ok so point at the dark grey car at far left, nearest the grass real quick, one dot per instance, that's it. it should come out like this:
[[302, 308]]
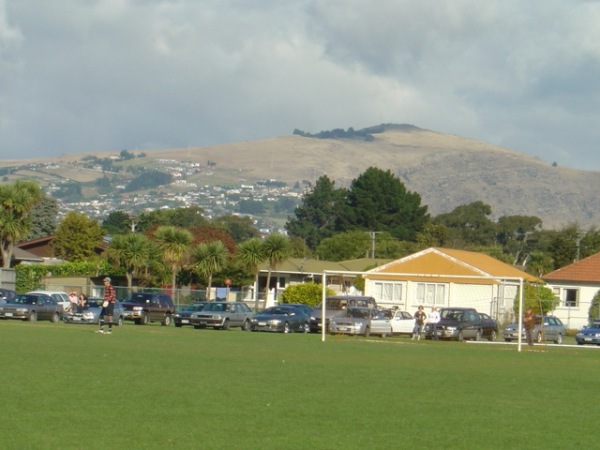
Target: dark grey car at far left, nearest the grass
[[32, 307]]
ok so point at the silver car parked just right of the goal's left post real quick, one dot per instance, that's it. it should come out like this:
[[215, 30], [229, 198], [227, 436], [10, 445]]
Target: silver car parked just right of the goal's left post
[[364, 321]]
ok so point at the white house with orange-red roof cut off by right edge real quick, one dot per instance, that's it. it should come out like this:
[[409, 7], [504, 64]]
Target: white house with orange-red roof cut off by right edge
[[575, 285]]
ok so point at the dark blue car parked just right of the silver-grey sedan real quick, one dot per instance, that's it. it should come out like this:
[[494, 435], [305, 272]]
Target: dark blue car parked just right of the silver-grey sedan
[[282, 318]]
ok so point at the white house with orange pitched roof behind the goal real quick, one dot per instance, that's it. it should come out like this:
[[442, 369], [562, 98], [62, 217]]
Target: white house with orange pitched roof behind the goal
[[446, 277]]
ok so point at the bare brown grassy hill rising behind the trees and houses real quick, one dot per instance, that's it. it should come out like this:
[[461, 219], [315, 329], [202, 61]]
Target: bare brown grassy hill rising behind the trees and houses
[[446, 170]]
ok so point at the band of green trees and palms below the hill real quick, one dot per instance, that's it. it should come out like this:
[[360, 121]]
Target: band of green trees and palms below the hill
[[376, 216]]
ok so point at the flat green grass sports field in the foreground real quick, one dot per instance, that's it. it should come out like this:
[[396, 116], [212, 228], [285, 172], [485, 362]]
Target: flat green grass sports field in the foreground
[[144, 387]]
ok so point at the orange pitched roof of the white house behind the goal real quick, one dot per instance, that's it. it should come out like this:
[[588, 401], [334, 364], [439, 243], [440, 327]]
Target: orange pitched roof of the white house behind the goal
[[440, 262]]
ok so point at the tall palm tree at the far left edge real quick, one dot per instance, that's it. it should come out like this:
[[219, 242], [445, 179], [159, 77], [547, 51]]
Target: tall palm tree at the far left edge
[[16, 202]]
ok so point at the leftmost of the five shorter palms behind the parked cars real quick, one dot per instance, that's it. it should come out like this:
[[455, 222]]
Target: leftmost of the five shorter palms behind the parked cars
[[131, 251]]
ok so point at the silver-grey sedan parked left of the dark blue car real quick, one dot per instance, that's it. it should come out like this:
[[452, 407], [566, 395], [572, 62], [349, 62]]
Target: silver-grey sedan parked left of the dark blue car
[[224, 315]]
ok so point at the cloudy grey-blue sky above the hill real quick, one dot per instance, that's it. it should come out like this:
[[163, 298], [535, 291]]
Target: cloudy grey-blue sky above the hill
[[87, 75]]
